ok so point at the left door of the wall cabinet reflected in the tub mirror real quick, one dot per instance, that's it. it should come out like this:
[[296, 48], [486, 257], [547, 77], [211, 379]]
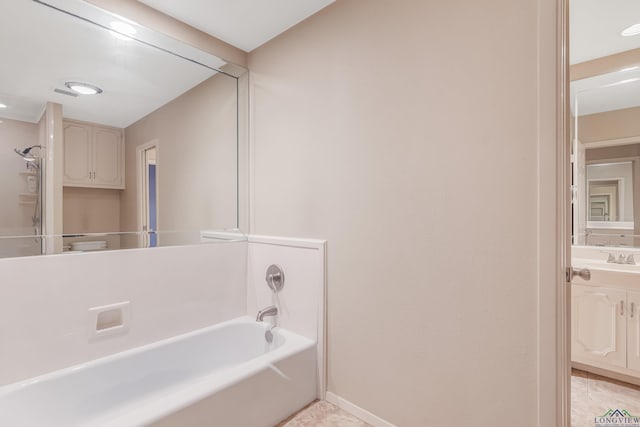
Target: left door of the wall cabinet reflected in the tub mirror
[[77, 154]]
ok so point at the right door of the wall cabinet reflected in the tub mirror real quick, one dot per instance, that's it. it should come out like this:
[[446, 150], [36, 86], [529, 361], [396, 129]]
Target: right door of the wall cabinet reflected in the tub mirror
[[107, 157]]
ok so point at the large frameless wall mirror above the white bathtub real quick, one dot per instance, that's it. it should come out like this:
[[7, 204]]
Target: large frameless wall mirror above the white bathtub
[[112, 136]]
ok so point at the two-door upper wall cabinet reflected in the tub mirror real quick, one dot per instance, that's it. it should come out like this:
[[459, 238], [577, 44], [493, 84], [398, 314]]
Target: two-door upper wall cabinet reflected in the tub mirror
[[93, 156]]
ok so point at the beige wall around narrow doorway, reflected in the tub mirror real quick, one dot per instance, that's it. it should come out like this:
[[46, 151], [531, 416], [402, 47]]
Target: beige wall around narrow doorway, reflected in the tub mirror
[[197, 176]]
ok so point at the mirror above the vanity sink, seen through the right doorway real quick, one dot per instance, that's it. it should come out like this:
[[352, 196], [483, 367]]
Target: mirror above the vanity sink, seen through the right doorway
[[605, 95]]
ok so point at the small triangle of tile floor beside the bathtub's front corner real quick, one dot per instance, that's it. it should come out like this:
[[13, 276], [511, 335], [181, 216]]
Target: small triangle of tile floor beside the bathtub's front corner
[[322, 414]]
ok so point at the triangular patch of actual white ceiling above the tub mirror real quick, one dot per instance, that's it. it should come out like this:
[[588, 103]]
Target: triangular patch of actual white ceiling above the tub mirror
[[245, 24]]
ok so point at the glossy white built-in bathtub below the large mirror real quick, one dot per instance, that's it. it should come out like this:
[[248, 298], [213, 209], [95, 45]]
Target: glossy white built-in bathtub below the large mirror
[[225, 375]]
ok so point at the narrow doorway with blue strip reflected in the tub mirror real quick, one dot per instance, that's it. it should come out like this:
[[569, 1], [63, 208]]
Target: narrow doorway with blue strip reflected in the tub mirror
[[148, 194]]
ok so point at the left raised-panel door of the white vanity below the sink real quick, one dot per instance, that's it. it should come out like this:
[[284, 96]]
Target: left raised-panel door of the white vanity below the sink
[[599, 326]]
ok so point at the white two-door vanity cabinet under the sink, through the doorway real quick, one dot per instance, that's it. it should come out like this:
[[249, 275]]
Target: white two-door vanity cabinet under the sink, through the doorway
[[605, 328]]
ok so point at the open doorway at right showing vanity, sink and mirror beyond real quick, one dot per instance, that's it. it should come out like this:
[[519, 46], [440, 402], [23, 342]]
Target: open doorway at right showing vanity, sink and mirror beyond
[[601, 319]]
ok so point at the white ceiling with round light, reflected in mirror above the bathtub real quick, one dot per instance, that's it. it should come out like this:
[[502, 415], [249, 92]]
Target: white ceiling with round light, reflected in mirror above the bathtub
[[136, 79]]
